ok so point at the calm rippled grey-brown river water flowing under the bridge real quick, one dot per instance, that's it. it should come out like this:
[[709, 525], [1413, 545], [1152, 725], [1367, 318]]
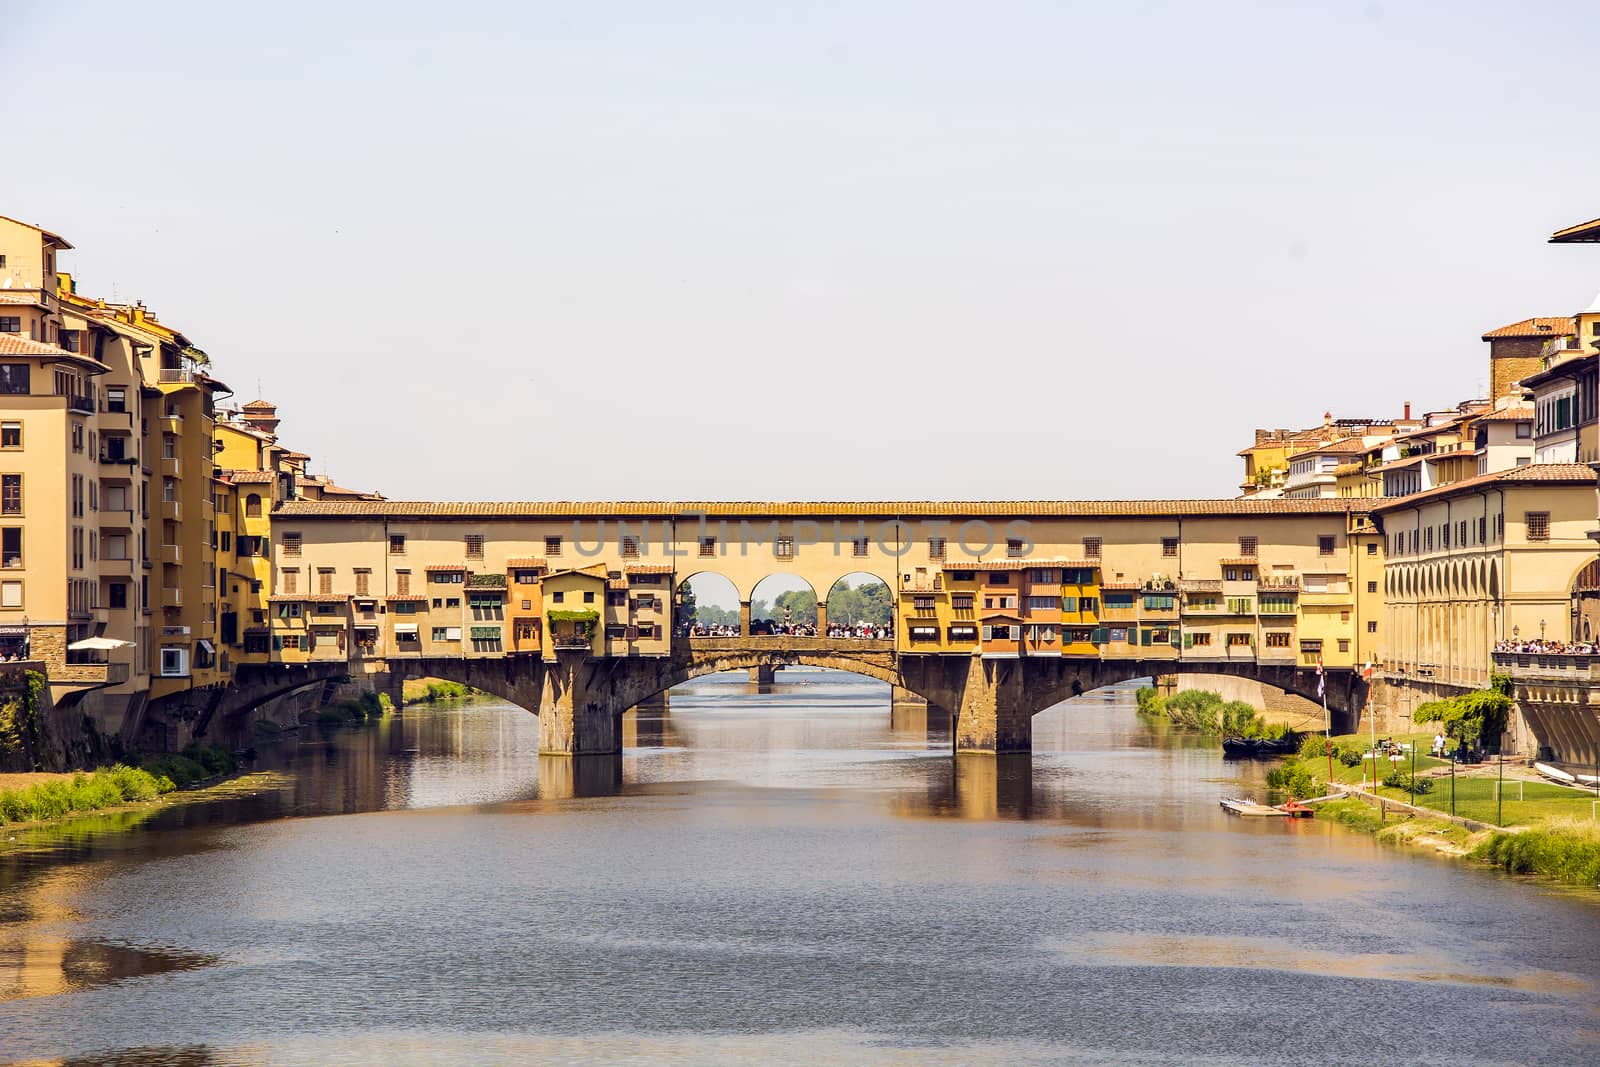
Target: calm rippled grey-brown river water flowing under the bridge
[[798, 877]]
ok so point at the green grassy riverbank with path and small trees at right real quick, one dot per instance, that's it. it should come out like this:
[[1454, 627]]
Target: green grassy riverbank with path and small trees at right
[[1500, 817]]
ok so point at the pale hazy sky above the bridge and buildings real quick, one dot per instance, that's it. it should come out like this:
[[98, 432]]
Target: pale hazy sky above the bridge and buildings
[[820, 250]]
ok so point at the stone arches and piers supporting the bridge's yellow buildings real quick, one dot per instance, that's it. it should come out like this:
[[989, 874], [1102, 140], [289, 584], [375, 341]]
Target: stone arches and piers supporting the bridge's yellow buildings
[[580, 700]]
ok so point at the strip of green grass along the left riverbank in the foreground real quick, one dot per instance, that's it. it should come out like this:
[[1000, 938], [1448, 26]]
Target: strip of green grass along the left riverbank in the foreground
[[116, 786]]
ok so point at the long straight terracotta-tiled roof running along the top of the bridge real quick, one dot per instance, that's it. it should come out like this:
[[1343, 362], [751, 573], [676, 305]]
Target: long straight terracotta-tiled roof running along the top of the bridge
[[690, 511]]
